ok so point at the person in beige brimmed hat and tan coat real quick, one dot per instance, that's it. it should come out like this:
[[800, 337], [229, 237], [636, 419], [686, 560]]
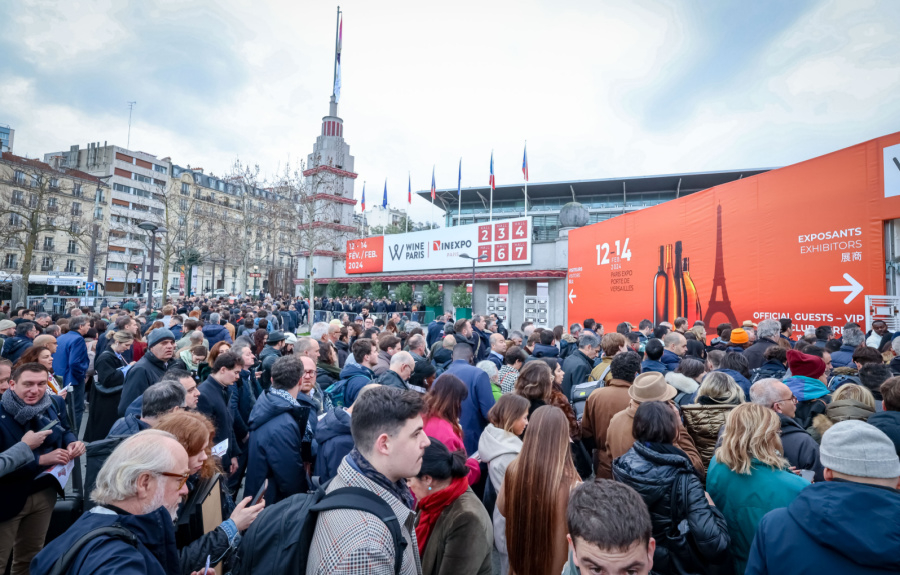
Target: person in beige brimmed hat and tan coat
[[649, 386]]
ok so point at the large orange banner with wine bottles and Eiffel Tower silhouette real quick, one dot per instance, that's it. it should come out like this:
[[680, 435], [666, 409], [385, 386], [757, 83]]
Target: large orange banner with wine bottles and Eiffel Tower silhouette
[[805, 242]]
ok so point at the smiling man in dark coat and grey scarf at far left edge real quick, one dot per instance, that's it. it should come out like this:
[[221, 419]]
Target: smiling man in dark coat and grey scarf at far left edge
[[26, 505]]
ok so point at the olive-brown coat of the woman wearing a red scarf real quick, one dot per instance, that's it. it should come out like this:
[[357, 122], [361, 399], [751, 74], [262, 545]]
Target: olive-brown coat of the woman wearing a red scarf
[[461, 539]]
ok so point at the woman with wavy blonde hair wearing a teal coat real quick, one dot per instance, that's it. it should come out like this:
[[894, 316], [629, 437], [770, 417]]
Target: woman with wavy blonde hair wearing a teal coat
[[749, 476]]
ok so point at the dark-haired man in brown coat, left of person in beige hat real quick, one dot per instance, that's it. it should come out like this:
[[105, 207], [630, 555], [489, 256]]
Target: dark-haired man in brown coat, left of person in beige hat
[[604, 403]]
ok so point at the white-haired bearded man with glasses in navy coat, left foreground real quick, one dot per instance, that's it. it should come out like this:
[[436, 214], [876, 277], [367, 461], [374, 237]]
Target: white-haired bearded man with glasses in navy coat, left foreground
[[132, 528]]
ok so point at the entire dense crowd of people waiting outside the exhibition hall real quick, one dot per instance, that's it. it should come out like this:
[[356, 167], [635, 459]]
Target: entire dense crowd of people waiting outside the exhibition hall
[[651, 448]]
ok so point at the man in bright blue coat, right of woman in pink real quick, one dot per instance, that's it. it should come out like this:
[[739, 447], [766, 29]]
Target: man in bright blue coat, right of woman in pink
[[473, 416]]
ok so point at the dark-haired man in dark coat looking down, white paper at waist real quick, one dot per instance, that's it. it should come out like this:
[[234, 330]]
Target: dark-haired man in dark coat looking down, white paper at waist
[[215, 397]]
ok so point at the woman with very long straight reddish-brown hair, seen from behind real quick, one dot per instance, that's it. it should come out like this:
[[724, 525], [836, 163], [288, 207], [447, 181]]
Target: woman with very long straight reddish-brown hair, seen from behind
[[535, 494]]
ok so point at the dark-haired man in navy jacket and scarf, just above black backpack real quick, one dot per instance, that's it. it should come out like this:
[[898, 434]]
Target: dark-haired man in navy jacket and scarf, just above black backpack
[[280, 433]]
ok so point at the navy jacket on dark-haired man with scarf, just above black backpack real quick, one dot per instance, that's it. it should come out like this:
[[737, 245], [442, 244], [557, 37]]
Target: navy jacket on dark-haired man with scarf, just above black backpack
[[276, 448]]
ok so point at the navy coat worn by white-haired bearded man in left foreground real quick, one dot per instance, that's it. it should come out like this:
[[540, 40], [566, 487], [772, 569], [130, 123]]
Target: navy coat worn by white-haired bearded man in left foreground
[[153, 554]]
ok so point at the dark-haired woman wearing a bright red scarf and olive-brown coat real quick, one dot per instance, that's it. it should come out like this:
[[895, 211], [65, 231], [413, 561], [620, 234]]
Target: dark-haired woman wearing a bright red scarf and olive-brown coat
[[454, 531]]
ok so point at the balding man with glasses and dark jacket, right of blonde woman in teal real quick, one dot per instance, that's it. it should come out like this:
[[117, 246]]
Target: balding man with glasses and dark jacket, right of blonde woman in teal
[[800, 449]]
